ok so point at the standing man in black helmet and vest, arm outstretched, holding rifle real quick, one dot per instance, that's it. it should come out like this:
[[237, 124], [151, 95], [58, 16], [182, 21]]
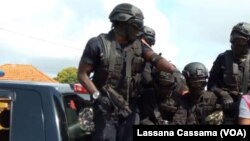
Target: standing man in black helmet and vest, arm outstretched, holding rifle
[[115, 59]]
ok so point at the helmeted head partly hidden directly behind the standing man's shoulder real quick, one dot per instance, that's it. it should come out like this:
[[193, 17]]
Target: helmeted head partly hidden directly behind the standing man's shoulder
[[149, 35]]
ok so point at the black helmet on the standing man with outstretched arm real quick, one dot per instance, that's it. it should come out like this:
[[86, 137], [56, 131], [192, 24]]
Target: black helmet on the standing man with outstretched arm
[[126, 12]]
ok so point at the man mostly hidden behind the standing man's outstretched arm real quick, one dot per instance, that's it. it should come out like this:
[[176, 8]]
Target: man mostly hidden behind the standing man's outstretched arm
[[147, 101]]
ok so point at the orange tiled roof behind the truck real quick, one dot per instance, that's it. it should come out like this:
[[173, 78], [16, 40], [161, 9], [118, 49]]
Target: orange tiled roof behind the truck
[[24, 72]]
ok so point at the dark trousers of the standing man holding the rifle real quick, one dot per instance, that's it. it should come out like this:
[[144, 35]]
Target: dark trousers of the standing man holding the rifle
[[109, 127]]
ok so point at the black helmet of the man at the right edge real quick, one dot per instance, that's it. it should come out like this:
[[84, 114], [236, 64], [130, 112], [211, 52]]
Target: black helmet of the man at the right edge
[[241, 30]]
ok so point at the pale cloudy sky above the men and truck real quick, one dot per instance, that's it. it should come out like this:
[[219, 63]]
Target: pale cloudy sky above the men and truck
[[52, 34]]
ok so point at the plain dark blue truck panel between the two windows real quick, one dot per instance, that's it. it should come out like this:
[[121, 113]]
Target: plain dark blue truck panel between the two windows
[[27, 116]]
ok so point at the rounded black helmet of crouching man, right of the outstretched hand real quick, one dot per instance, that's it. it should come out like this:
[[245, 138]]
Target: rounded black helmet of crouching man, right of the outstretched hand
[[194, 71]]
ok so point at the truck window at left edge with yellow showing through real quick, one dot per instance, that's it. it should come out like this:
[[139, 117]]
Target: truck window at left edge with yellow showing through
[[5, 107]]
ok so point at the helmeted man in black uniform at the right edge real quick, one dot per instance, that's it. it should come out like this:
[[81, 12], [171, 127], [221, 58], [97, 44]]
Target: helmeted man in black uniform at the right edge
[[229, 76]]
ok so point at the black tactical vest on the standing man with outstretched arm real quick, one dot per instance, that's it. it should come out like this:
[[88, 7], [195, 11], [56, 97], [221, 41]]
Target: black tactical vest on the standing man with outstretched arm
[[119, 67]]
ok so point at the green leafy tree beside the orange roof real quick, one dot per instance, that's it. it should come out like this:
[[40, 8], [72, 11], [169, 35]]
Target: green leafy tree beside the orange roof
[[67, 75]]
